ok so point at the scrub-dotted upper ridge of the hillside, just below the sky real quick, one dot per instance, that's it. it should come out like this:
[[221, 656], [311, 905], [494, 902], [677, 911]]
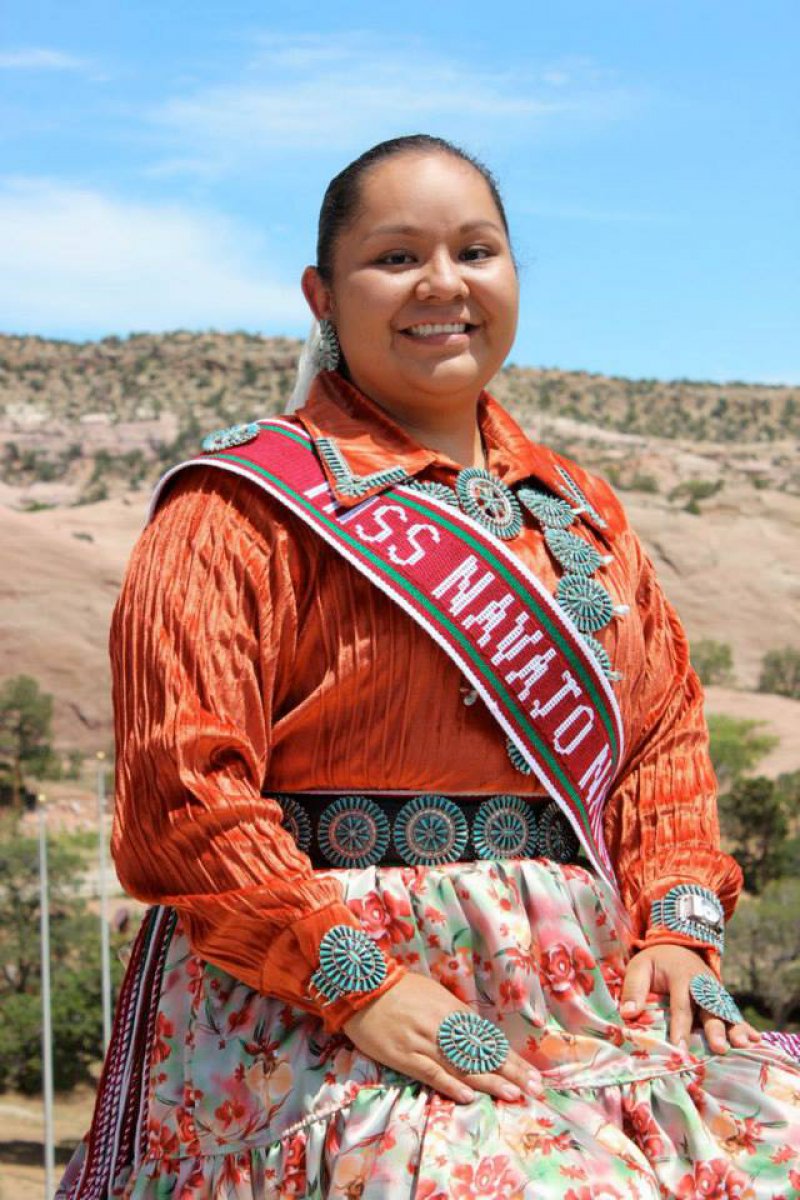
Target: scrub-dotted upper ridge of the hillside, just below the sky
[[81, 423]]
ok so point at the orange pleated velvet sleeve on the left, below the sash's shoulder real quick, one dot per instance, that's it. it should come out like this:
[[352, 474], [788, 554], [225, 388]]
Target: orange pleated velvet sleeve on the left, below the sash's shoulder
[[202, 646]]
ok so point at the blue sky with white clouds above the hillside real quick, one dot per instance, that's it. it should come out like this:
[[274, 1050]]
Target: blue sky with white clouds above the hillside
[[163, 165]]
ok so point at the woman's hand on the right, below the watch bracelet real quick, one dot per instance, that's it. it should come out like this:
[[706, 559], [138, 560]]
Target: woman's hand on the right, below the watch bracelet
[[669, 971]]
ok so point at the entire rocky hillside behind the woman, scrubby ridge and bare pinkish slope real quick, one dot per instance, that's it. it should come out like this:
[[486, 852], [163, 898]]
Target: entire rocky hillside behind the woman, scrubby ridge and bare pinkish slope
[[709, 475]]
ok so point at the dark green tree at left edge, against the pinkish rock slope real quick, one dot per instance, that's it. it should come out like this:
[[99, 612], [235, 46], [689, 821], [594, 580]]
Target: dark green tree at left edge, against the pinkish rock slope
[[26, 722]]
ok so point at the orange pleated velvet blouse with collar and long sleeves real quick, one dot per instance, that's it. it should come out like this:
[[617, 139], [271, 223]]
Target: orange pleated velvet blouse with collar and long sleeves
[[250, 659]]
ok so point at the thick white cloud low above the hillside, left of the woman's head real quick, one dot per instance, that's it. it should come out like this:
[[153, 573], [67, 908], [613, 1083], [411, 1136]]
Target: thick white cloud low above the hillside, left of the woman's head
[[76, 262]]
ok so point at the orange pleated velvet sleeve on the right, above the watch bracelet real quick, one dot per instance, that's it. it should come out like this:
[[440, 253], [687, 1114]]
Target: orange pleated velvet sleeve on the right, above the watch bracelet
[[661, 819]]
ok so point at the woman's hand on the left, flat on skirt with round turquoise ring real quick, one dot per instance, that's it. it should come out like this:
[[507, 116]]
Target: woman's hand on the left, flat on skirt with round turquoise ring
[[400, 1030]]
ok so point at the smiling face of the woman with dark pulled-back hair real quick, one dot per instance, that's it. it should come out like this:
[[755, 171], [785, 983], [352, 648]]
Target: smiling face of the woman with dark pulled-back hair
[[424, 292]]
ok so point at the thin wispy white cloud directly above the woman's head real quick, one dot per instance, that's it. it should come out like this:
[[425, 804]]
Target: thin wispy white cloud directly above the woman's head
[[315, 93]]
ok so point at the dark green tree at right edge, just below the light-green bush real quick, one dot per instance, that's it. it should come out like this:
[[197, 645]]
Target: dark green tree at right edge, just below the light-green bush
[[755, 819]]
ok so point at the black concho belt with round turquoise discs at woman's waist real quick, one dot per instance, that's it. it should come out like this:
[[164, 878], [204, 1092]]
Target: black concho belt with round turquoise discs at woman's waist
[[425, 831]]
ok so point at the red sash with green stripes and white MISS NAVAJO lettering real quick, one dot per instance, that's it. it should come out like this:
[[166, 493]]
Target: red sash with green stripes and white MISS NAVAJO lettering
[[480, 604]]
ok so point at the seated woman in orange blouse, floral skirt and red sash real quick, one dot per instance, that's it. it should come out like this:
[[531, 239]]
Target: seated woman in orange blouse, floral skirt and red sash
[[356, 836]]
